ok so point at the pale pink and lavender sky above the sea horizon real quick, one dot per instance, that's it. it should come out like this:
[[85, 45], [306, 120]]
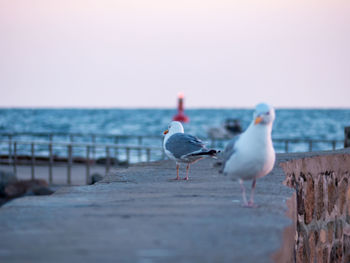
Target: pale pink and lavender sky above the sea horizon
[[138, 53]]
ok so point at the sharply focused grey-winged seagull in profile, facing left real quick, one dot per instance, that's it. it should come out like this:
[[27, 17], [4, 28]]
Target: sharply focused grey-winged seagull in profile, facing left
[[183, 147]]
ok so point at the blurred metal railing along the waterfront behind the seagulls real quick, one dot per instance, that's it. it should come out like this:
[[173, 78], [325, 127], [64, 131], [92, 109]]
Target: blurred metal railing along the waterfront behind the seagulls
[[20, 148]]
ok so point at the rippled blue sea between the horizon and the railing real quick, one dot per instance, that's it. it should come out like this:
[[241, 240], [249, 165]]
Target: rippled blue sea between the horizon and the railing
[[289, 124]]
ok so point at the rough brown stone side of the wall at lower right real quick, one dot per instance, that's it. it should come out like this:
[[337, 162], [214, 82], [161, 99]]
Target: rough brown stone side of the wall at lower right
[[322, 224]]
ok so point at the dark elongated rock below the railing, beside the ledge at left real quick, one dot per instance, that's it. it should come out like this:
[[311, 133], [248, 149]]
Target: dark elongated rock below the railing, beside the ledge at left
[[23, 187]]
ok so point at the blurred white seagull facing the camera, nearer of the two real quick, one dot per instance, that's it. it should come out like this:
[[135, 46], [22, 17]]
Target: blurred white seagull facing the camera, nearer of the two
[[251, 155]]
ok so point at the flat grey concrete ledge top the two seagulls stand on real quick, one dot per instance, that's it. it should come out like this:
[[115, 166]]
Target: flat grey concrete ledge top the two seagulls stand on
[[138, 215]]
